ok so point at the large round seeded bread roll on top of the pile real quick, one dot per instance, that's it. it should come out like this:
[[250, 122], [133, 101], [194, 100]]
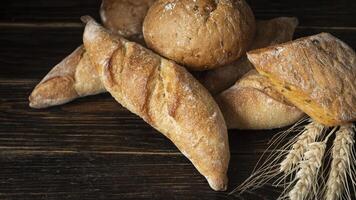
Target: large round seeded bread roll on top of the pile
[[200, 34]]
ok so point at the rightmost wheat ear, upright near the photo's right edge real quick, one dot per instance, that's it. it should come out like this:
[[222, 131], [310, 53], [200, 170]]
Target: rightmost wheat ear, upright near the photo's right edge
[[342, 164]]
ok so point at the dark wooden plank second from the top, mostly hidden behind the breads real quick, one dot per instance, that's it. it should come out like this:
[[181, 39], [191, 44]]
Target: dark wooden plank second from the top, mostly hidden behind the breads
[[27, 52]]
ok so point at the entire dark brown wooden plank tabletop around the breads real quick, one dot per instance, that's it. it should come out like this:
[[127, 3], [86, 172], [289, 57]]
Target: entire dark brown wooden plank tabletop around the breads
[[93, 148]]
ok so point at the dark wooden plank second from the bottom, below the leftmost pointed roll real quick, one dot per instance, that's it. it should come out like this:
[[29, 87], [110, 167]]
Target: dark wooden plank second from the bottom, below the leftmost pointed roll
[[92, 124]]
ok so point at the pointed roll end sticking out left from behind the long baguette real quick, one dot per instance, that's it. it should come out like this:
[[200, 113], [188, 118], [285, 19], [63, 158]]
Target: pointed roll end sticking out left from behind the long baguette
[[72, 78]]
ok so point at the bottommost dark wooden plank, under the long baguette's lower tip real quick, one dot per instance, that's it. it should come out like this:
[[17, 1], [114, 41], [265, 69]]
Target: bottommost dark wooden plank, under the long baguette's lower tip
[[112, 176]]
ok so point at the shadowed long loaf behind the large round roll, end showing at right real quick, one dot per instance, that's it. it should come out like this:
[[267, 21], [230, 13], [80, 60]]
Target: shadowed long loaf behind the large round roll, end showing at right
[[268, 32]]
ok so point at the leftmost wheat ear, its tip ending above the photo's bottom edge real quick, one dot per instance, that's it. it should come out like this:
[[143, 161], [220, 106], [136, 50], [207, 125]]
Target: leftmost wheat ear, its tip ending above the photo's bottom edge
[[309, 135]]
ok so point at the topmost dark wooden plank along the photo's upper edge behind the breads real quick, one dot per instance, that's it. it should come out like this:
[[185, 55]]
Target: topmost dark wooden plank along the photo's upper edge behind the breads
[[311, 13]]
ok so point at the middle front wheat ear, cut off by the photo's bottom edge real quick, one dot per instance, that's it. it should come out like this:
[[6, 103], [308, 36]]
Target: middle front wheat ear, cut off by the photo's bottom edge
[[306, 177]]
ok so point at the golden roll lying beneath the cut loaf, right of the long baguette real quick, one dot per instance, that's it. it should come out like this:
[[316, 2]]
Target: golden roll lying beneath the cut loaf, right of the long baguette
[[252, 103]]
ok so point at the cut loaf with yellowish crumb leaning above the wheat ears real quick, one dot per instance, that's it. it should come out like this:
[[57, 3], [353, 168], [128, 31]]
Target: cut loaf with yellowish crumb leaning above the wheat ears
[[316, 73]]
